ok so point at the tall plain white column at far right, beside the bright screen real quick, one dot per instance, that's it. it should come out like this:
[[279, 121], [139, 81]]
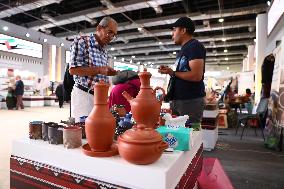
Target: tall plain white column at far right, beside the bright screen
[[261, 43]]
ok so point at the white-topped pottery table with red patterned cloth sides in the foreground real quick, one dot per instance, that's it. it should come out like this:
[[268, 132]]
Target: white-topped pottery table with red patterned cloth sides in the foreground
[[36, 163]]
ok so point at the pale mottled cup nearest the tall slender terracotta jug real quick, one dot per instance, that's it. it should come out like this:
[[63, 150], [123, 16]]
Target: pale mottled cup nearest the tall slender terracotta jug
[[72, 137]]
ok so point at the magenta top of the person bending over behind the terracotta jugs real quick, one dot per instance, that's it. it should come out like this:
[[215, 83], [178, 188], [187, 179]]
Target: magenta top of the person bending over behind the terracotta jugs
[[131, 86]]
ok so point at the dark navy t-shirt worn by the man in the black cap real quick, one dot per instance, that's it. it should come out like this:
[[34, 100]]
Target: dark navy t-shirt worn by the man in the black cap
[[193, 49]]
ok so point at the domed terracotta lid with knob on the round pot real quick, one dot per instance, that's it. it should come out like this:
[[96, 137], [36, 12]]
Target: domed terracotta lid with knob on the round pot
[[141, 134]]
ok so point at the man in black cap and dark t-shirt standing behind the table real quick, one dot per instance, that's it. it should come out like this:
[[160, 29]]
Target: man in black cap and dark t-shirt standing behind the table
[[189, 89]]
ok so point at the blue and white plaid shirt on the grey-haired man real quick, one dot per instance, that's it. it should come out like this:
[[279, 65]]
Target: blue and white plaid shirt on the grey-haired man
[[85, 51]]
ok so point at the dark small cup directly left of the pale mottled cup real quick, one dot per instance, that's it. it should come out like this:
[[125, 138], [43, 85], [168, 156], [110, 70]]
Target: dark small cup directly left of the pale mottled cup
[[55, 134]]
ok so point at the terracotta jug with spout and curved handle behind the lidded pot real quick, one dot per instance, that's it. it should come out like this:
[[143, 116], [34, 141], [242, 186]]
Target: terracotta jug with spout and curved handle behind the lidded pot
[[145, 107]]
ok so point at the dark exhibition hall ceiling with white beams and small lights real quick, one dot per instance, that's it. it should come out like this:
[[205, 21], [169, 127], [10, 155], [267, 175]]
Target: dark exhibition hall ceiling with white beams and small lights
[[144, 35]]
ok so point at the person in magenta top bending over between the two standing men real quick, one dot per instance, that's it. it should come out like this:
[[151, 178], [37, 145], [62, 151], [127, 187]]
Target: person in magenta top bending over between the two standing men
[[129, 82]]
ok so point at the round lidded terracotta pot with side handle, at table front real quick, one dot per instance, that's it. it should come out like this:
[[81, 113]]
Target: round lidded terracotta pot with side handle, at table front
[[141, 145]]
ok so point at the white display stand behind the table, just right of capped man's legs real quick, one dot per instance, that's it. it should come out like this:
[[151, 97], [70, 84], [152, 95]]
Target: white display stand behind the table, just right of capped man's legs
[[210, 136]]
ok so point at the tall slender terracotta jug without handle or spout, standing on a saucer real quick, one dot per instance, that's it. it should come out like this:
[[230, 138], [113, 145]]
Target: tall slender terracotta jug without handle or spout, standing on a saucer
[[100, 124]]
